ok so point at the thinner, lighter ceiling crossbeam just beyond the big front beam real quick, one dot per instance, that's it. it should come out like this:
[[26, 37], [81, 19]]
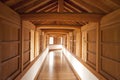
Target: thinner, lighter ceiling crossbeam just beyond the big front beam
[[70, 27]]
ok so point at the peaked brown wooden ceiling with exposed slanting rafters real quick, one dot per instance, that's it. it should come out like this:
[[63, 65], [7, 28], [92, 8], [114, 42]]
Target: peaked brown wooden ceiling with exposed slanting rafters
[[87, 7]]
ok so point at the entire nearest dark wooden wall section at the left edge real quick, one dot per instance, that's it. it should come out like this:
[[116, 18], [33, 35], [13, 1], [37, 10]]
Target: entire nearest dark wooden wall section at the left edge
[[9, 43]]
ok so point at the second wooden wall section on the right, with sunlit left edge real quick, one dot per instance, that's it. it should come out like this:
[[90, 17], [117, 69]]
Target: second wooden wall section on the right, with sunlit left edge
[[89, 43]]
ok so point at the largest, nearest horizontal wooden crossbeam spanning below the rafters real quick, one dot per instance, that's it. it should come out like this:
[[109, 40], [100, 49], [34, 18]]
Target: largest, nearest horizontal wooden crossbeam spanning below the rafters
[[62, 17]]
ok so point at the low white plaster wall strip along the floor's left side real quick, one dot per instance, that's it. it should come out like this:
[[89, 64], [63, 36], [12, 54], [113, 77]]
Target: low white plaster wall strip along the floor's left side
[[31, 73]]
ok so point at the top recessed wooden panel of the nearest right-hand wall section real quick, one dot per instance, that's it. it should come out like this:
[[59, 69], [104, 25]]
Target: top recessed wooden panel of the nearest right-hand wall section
[[111, 34]]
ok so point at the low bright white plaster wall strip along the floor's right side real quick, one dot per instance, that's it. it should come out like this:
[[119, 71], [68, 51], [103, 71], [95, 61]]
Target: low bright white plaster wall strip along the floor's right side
[[82, 71]]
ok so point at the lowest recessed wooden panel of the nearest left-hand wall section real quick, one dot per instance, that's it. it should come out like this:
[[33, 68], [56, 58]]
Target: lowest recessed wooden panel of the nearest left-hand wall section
[[9, 68]]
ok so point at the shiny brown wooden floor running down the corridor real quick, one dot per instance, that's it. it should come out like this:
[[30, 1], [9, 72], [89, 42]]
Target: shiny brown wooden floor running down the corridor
[[56, 67]]
